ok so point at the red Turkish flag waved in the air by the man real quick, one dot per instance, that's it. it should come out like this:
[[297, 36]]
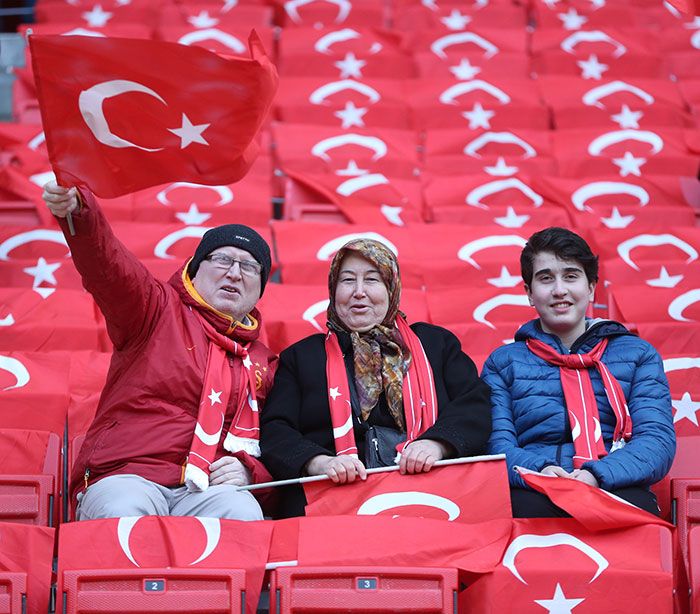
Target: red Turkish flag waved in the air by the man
[[117, 129]]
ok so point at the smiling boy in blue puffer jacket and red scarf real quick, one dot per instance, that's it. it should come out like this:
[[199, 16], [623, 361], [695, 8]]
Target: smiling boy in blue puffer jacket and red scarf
[[575, 397]]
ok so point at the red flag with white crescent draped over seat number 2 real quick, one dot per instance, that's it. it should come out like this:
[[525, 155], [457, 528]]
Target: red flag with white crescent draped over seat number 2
[[168, 541]]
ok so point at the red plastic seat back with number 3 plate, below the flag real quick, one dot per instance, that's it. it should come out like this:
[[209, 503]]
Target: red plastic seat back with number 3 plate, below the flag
[[301, 590]]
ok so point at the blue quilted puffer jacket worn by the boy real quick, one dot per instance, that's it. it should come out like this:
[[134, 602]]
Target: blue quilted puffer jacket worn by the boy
[[530, 422]]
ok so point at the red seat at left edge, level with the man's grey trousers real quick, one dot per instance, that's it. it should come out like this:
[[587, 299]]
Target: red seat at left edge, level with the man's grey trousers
[[30, 497]]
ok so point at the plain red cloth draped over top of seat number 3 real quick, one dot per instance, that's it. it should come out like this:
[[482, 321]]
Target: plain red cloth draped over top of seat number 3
[[418, 542]]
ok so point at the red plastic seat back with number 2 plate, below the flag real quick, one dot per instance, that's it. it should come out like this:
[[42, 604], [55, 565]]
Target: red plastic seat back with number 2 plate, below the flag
[[196, 591]]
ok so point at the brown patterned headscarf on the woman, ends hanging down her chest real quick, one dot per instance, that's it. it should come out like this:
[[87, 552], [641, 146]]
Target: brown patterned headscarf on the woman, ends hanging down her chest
[[380, 355]]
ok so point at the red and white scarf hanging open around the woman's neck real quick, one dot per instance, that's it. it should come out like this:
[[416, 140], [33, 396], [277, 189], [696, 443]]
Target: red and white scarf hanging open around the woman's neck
[[419, 400]]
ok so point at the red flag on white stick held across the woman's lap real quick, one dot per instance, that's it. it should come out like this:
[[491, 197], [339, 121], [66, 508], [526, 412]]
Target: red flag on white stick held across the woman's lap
[[426, 495]]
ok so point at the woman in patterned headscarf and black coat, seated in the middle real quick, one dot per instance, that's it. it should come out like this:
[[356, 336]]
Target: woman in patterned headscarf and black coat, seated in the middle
[[336, 395]]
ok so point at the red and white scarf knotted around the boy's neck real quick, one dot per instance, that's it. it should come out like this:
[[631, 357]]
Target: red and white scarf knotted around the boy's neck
[[580, 399]]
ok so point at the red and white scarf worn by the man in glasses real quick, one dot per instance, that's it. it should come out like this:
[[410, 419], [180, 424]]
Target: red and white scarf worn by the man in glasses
[[244, 432]]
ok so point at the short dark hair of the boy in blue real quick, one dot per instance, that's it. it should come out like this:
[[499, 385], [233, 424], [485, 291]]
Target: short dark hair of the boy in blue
[[565, 245]]
